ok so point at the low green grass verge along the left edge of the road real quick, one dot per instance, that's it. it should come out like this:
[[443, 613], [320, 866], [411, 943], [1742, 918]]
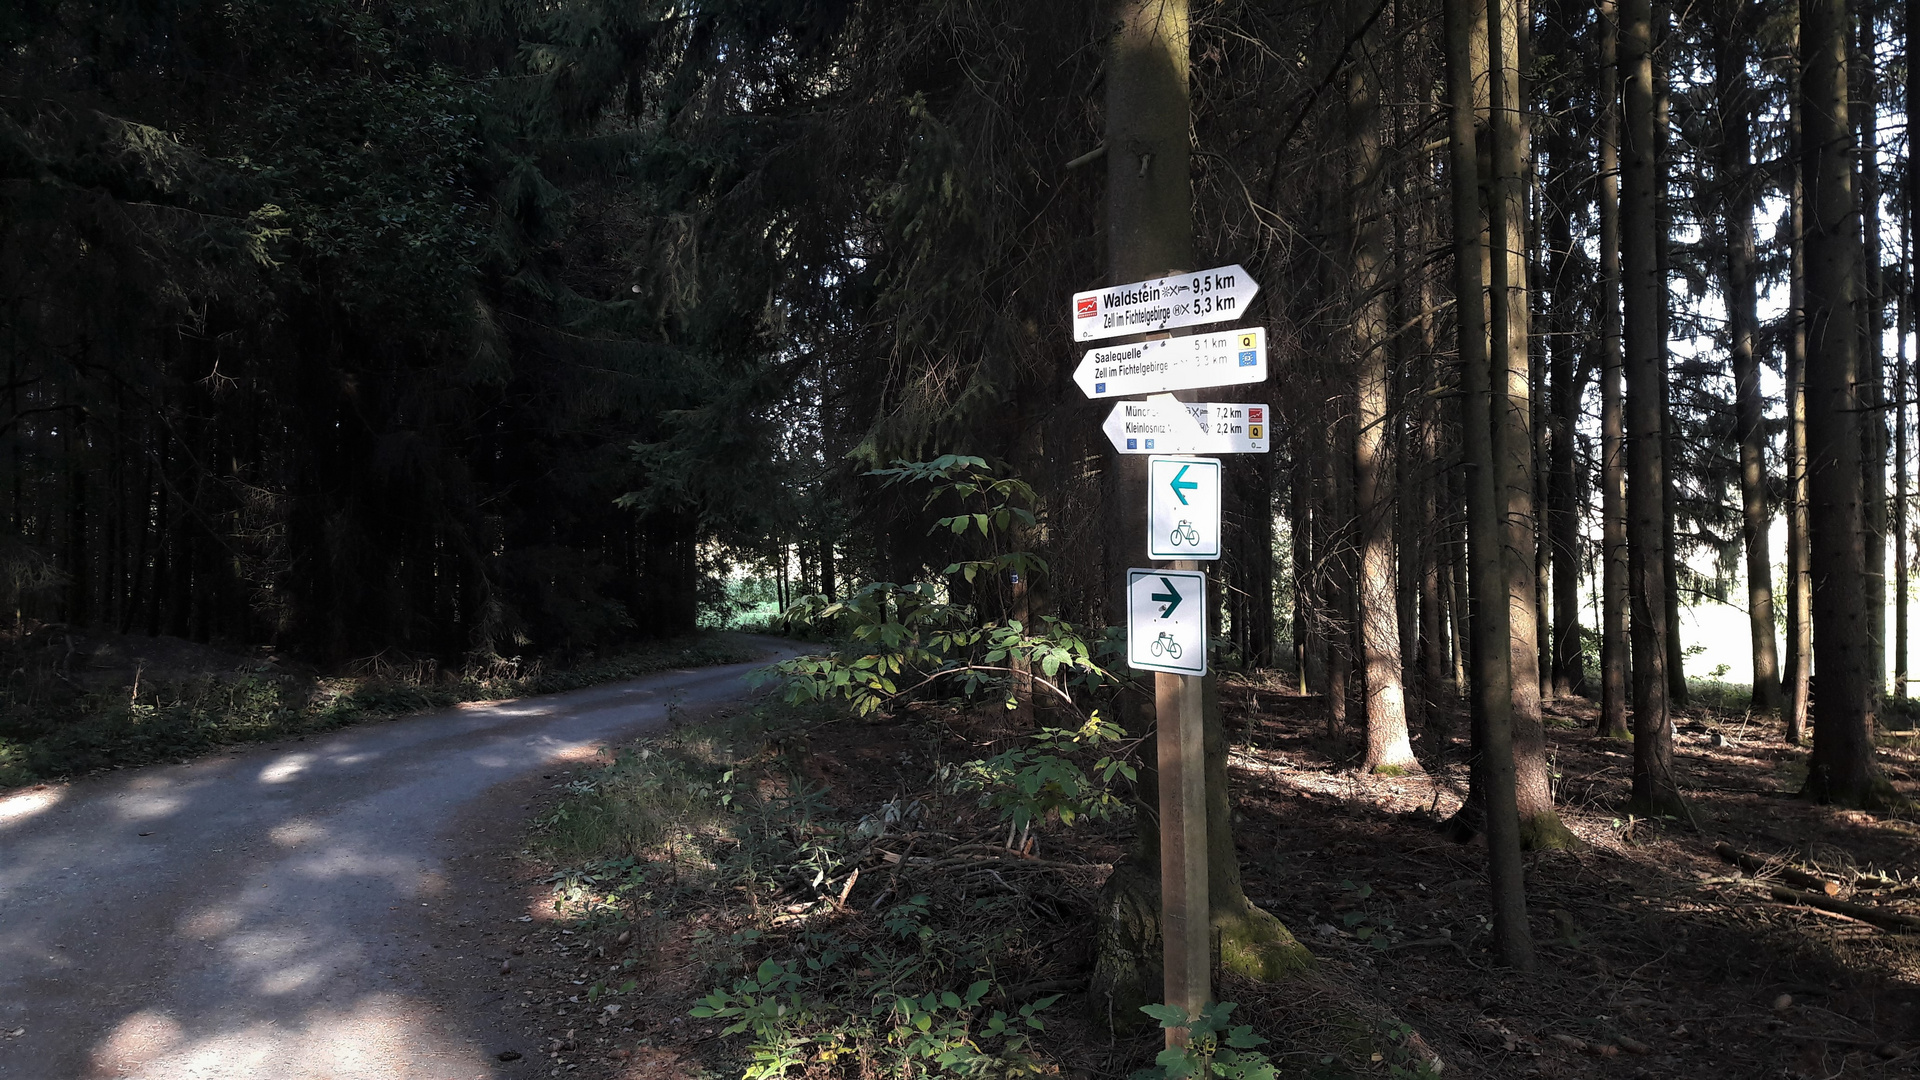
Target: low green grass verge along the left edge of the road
[[76, 729]]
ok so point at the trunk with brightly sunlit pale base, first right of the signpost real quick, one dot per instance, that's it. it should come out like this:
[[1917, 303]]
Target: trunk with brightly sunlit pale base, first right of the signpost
[[1378, 614]]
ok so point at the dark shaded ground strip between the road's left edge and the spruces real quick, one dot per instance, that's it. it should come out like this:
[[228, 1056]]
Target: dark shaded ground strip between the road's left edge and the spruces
[[84, 702]]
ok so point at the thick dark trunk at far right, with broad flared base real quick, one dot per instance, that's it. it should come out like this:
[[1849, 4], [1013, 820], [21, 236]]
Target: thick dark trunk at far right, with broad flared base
[[1842, 766]]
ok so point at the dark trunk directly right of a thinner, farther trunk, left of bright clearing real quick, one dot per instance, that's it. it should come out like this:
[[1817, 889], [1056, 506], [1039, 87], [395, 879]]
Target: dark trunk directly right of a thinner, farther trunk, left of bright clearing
[[1656, 791]]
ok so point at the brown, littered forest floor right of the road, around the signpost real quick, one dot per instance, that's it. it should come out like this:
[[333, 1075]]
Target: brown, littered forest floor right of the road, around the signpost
[[650, 887]]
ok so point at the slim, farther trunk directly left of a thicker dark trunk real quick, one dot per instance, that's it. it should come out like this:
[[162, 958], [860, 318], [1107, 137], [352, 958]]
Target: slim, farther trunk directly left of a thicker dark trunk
[[1614, 645]]
